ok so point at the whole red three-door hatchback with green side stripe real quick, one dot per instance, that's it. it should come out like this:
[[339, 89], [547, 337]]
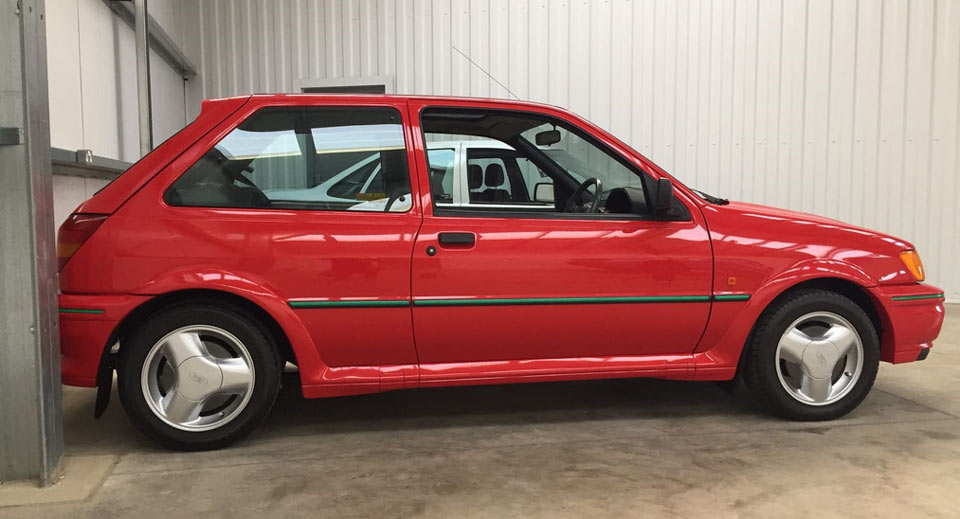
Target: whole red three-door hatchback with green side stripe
[[392, 242]]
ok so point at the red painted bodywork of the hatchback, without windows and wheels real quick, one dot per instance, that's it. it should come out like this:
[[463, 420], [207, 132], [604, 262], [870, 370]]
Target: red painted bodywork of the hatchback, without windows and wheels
[[269, 257]]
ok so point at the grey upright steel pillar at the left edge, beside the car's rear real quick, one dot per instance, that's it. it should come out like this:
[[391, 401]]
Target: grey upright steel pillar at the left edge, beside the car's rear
[[31, 437]]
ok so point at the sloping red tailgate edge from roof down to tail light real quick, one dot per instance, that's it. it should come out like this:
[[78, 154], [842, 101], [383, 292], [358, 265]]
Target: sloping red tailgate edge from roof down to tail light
[[114, 194]]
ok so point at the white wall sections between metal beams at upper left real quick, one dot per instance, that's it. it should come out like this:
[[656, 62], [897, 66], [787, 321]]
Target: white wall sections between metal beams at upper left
[[92, 85]]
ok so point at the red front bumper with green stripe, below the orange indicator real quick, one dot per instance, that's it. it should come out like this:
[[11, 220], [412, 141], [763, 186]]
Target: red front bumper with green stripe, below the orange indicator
[[911, 317]]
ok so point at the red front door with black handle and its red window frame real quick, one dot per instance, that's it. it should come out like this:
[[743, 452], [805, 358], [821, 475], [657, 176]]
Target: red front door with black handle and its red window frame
[[552, 286]]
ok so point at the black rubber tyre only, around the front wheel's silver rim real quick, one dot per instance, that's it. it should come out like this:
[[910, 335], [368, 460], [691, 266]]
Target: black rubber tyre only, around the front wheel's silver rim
[[760, 370]]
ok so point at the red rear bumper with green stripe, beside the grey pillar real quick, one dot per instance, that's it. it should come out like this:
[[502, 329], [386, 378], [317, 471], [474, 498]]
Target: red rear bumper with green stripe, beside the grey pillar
[[87, 324]]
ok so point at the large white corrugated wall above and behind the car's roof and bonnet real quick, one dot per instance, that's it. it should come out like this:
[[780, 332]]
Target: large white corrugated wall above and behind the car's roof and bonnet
[[844, 108]]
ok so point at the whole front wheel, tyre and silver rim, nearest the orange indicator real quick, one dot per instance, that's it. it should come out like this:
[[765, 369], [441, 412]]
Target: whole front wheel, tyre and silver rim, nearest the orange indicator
[[797, 389]]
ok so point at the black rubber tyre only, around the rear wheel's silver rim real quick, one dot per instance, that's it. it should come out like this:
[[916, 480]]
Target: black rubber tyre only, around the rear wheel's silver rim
[[250, 331]]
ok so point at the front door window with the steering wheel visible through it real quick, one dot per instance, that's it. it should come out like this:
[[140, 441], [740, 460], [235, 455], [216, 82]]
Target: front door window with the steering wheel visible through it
[[524, 162]]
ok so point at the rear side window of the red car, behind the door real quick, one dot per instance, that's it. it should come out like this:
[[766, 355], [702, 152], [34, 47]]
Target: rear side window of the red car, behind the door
[[304, 158]]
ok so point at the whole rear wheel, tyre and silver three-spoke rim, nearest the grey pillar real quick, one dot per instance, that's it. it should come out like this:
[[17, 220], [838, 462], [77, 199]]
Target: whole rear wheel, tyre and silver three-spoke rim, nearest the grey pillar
[[218, 347]]
